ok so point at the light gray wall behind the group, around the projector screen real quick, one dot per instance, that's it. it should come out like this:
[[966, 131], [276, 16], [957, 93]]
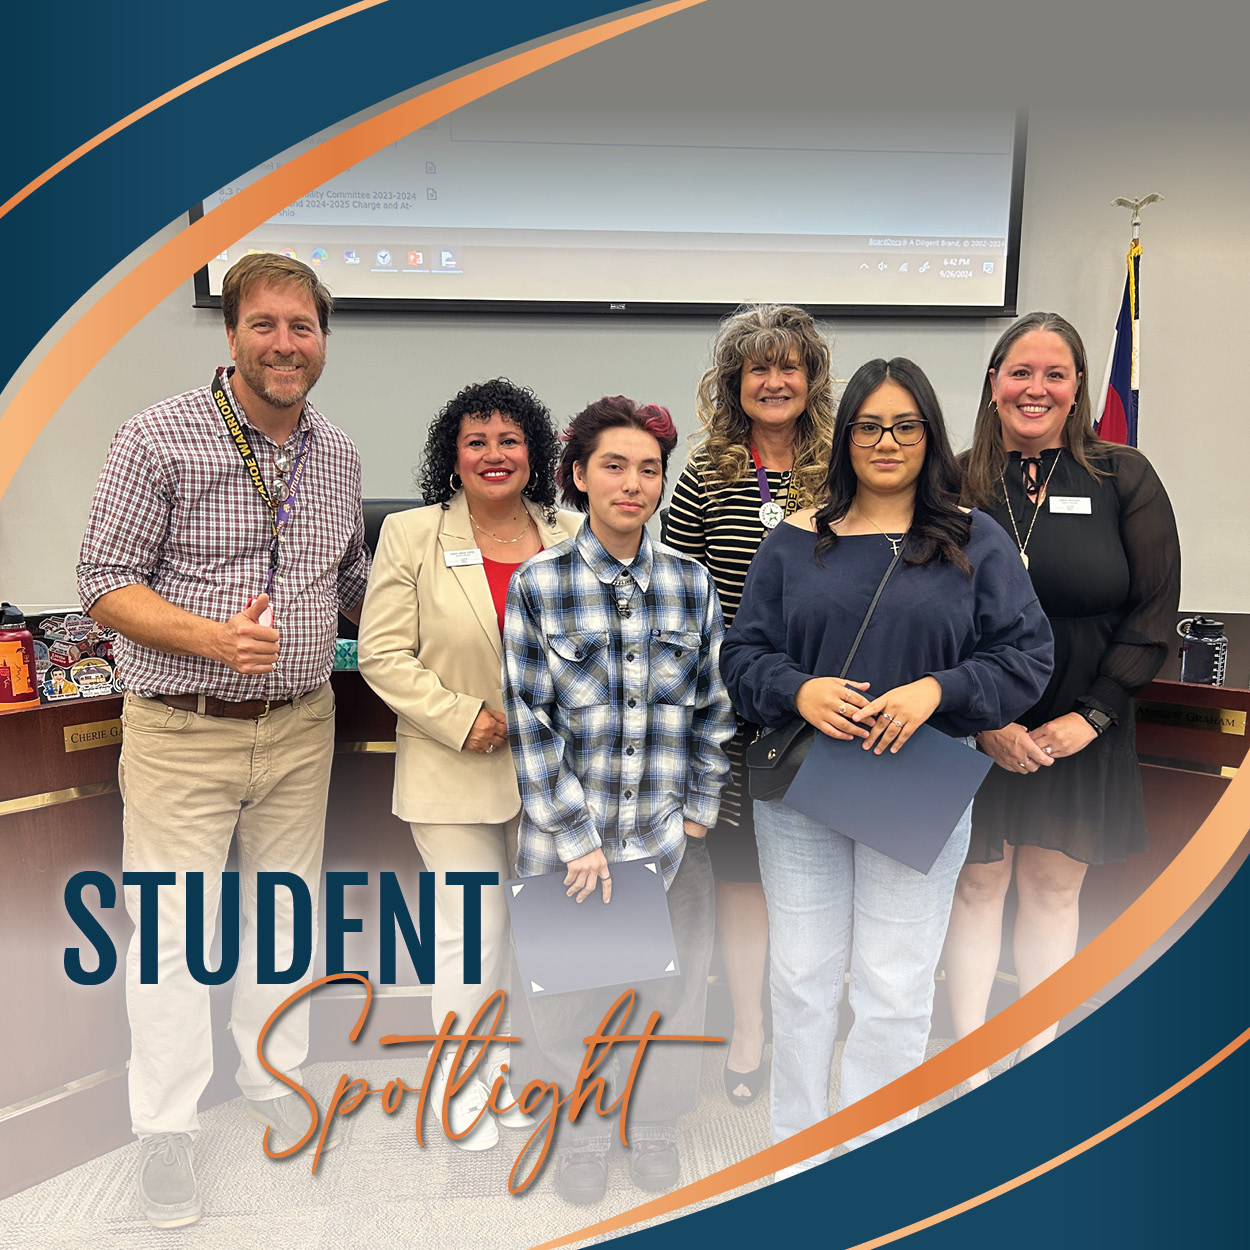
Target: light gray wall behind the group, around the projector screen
[[388, 374]]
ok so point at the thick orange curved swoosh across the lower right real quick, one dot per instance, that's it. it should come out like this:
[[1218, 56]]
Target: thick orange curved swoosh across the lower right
[[1148, 919]]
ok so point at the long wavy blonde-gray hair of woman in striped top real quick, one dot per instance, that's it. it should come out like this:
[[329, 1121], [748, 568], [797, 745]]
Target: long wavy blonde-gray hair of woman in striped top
[[764, 334]]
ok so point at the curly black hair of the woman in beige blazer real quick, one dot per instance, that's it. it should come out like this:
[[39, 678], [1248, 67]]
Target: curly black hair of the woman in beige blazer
[[524, 409]]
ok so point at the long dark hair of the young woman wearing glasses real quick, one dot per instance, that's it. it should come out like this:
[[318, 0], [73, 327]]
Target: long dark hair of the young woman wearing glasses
[[941, 529]]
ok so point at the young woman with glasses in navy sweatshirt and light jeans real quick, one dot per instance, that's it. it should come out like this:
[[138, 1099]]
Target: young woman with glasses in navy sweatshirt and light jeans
[[958, 639]]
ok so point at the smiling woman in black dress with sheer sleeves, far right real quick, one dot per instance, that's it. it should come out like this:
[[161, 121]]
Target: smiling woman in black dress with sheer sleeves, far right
[[1096, 529]]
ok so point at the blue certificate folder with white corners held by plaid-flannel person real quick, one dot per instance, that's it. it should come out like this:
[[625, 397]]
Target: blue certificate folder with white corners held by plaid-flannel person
[[564, 946]]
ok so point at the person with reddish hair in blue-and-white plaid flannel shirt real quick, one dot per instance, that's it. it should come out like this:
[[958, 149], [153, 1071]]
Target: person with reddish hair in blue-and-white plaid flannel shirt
[[618, 718]]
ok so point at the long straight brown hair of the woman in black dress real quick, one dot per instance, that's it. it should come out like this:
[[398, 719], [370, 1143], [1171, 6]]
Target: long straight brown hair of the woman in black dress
[[987, 459]]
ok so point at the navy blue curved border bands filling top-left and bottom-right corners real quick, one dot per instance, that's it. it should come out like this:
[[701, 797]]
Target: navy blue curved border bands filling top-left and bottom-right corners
[[1173, 1178]]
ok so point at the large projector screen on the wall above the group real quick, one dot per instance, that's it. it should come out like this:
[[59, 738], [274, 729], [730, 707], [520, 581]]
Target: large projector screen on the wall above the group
[[643, 209]]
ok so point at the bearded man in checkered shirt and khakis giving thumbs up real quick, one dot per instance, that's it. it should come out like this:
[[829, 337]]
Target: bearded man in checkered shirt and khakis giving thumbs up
[[226, 537]]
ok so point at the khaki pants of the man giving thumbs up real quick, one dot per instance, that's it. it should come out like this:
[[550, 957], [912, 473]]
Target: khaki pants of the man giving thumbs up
[[189, 784]]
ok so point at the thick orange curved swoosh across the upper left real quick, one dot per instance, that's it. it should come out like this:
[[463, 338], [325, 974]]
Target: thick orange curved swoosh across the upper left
[[119, 309]]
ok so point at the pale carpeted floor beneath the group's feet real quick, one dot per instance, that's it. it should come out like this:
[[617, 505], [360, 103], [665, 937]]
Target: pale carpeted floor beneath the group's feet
[[379, 1191]]
